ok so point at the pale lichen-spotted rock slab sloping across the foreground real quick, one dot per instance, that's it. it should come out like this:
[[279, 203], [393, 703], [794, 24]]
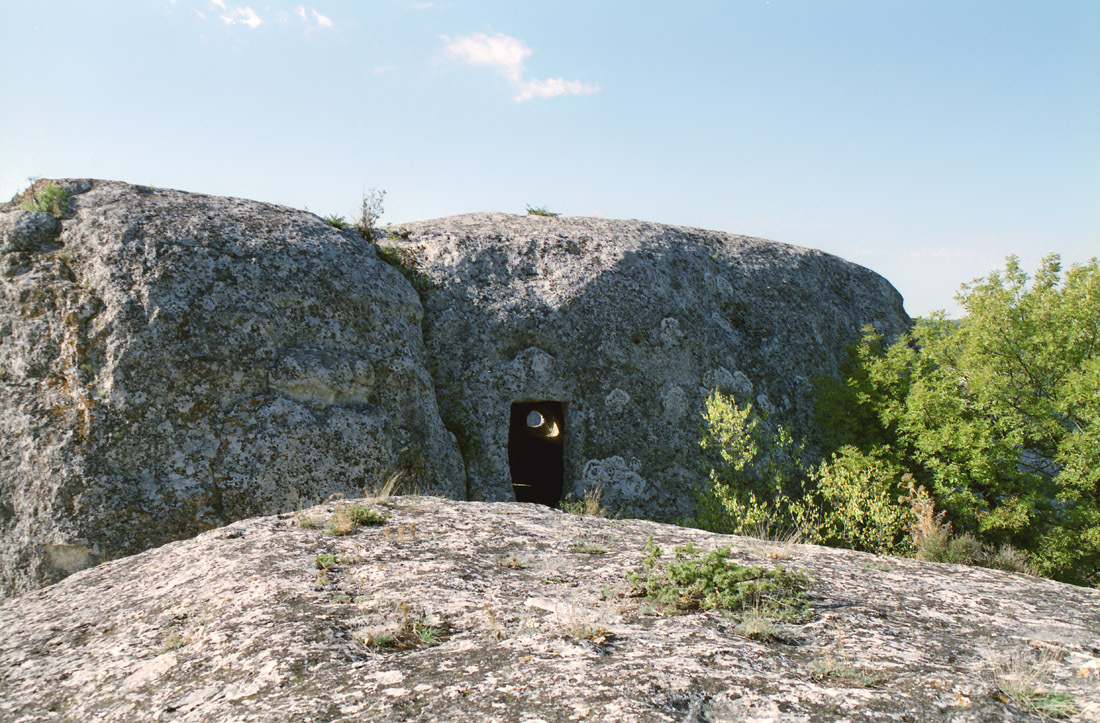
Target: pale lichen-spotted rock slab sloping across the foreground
[[532, 619]]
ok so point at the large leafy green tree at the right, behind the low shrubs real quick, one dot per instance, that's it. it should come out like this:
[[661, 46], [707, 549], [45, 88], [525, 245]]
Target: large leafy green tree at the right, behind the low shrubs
[[998, 414]]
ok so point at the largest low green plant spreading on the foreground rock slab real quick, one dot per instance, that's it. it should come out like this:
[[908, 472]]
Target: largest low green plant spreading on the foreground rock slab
[[692, 580]]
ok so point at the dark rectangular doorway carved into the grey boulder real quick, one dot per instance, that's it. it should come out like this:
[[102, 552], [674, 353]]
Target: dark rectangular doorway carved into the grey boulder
[[536, 431]]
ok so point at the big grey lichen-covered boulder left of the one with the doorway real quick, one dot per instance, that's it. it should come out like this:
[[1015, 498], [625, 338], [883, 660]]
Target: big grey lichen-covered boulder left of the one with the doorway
[[171, 363]]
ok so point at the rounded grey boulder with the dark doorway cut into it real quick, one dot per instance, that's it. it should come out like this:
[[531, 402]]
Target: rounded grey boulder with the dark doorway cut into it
[[629, 326]]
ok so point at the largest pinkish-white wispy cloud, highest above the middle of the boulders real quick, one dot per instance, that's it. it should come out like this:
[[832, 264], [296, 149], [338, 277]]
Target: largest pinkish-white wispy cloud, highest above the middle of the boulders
[[508, 56]]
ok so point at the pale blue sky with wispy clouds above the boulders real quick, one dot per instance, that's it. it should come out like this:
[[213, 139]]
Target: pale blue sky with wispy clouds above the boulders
[[927, 140]]
